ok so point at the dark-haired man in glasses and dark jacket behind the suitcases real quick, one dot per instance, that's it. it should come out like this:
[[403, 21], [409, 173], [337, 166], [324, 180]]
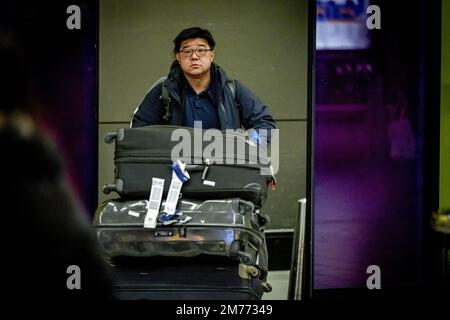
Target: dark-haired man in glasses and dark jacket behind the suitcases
[[199, 90]]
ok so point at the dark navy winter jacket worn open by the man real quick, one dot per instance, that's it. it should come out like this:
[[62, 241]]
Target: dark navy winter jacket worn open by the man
[[244, 110]]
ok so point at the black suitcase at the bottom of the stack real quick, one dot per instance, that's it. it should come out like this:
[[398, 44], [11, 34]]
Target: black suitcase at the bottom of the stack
[[200, 278]]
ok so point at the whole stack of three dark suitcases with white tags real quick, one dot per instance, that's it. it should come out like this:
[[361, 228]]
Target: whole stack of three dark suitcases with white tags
[[208, 237]]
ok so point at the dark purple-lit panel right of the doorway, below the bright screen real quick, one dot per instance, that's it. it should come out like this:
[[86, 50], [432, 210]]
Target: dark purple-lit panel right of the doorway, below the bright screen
[[367, 173]]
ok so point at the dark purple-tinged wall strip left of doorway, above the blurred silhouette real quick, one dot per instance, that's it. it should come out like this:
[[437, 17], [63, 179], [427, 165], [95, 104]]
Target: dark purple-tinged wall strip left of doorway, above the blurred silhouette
[[61, 83]]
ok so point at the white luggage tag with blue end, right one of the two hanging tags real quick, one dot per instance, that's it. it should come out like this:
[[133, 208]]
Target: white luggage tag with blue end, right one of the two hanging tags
[[179, 176]]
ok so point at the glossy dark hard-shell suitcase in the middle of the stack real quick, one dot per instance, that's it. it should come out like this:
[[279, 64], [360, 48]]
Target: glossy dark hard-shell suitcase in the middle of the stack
[[227, 227]]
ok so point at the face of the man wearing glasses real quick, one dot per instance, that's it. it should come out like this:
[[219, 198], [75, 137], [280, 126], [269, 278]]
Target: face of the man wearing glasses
[[195, 63]]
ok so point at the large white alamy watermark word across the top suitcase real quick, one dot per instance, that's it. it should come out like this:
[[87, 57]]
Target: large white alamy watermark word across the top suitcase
[[228, 147]]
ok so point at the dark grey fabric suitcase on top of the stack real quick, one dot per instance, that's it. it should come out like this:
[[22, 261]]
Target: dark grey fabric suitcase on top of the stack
[[239, 168]]
